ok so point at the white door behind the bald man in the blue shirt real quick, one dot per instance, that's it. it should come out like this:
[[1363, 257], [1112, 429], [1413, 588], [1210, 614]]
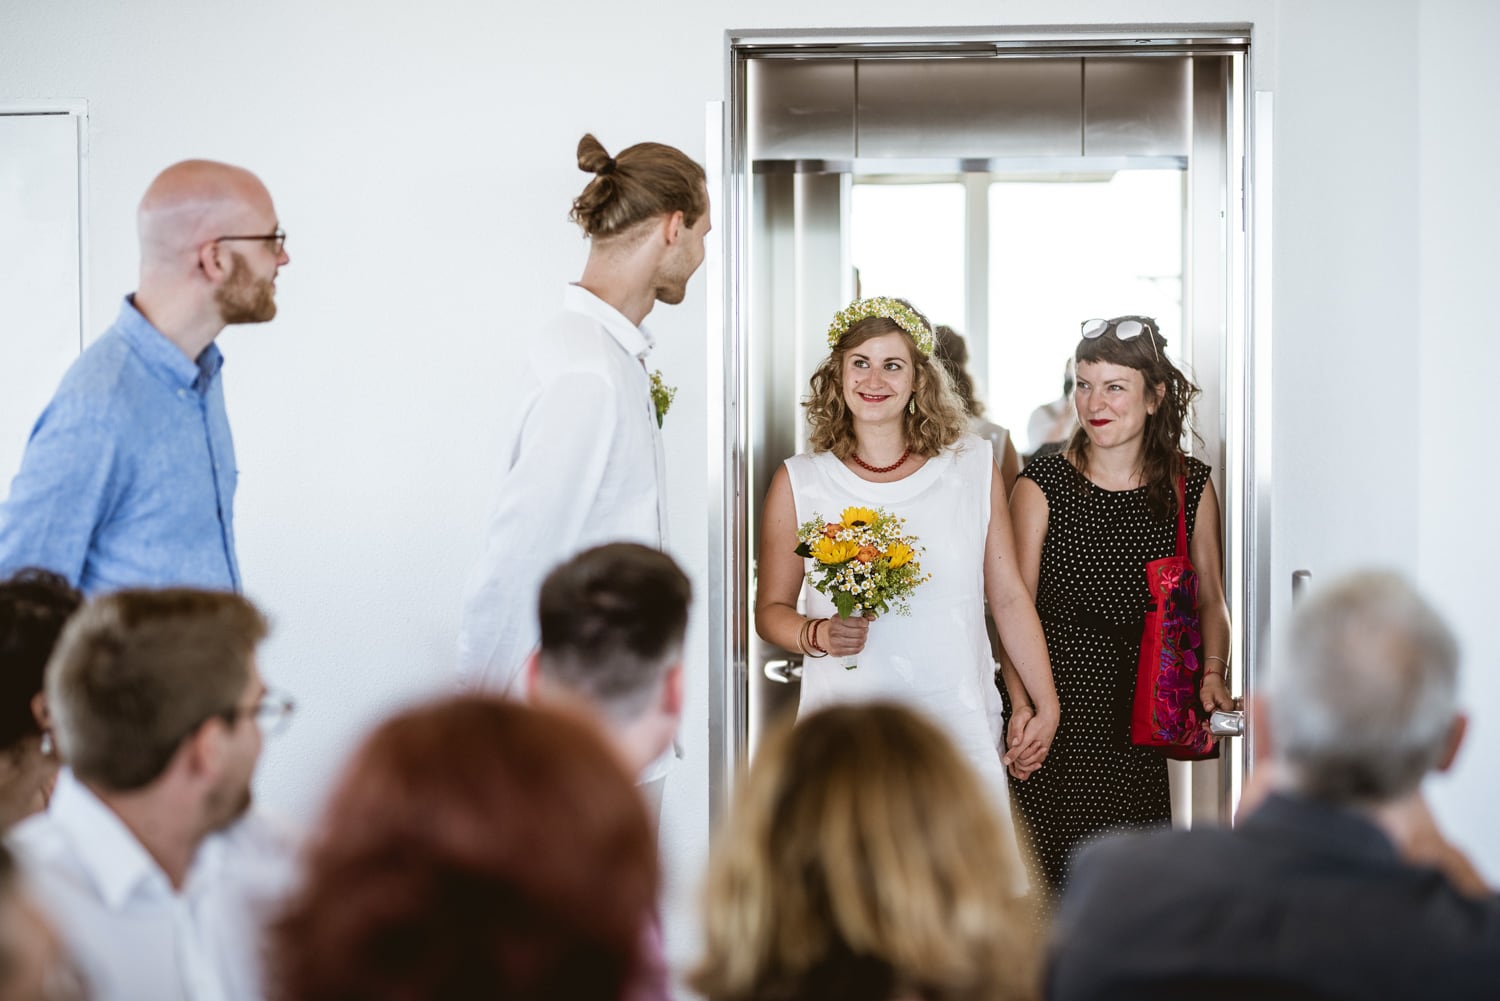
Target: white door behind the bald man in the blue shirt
[[41, 257]]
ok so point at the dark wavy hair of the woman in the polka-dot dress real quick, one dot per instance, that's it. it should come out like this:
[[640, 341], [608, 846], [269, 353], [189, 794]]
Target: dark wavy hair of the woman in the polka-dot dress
[[1163, 460]]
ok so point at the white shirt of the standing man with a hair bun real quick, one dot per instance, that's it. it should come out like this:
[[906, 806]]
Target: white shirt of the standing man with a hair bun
[[583, 467]]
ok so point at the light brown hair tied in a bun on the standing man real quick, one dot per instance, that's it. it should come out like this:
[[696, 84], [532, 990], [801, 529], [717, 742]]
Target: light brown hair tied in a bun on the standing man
[[646, 181]]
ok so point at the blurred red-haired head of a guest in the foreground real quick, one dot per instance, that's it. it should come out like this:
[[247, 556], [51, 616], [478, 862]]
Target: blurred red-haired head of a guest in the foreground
[[475, 850]]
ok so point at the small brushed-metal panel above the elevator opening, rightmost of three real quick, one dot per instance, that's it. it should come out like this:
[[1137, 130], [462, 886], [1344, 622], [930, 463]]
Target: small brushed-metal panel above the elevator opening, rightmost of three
[[1136, 107]]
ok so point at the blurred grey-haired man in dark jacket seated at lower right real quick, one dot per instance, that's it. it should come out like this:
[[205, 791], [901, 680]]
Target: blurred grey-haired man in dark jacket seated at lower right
[[1339, 883]]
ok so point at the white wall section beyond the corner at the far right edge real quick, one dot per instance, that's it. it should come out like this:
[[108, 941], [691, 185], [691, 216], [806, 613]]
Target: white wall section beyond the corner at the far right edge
[[1460, 544]]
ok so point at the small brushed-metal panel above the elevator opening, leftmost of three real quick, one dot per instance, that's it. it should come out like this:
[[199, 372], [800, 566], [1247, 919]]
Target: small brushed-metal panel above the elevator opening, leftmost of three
[[802, 109]]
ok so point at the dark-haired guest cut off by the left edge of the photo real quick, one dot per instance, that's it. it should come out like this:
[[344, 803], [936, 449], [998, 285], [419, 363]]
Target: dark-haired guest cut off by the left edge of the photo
[[34, 609]]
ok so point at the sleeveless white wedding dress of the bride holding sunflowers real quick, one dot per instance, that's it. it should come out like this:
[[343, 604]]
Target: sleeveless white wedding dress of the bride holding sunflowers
[[938, 658]]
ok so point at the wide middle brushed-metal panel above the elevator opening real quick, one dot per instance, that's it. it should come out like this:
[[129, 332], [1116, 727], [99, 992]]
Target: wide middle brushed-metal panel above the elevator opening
[[970, 107]]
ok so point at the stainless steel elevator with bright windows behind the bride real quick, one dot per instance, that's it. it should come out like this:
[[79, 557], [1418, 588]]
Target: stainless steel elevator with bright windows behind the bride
[[1151, 182]]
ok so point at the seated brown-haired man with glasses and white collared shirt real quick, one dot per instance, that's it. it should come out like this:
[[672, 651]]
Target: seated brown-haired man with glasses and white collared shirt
[[149, 858]]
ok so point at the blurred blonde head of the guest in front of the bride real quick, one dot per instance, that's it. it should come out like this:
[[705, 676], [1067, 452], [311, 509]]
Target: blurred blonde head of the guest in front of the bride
[[863, 862]]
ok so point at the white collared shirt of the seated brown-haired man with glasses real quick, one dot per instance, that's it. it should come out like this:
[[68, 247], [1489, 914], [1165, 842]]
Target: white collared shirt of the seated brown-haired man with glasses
[[131, 934]]
